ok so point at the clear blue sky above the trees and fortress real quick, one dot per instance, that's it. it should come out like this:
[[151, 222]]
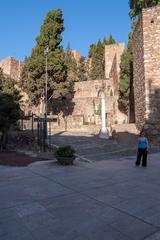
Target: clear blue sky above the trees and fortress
[[85, 21]]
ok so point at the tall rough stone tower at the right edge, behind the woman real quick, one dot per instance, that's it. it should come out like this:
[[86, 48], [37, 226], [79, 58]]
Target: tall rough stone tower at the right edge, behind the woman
[[146, 54]]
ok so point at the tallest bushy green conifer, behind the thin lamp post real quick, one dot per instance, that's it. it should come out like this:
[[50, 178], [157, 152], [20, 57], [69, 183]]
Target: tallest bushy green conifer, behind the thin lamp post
[[33, 75]]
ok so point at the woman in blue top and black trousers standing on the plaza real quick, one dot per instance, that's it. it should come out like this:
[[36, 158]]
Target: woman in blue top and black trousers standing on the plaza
[[142, 150]]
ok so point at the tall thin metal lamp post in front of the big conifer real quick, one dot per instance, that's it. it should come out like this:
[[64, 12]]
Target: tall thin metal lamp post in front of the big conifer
[[45, 109]]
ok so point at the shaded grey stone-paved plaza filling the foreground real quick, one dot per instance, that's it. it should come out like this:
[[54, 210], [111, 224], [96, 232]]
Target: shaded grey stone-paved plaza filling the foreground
[[96, 200]]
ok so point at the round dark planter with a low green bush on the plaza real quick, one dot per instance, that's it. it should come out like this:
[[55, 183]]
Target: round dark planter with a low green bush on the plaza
[[65, 155]]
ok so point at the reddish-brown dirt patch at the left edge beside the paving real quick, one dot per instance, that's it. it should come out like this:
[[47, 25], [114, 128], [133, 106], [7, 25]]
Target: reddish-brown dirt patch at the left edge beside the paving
[[16, 159]]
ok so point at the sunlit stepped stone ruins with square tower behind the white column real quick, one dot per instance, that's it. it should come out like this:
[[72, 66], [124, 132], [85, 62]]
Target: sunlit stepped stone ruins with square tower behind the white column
[[85, 104]]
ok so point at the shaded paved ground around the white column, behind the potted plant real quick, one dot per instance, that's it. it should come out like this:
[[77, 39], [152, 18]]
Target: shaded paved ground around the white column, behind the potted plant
[[91, 148]]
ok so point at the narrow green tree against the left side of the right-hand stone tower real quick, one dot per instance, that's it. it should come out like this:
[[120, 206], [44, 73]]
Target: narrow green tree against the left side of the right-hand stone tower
[[126, 77]]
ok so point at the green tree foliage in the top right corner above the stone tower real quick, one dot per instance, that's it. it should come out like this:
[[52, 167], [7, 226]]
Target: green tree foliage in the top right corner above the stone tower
[[136, 6]]
